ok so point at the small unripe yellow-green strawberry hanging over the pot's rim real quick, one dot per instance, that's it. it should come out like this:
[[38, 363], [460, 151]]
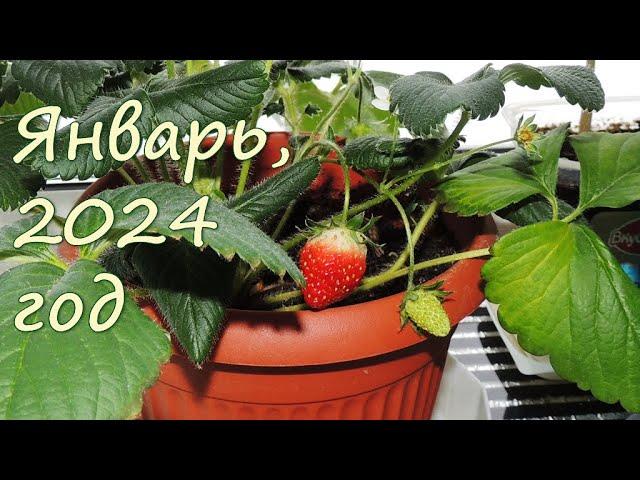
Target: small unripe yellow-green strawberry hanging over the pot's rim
[[424, 308]]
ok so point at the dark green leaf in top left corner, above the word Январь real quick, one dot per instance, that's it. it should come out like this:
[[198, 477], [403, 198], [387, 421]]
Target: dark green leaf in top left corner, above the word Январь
[[69, 84]]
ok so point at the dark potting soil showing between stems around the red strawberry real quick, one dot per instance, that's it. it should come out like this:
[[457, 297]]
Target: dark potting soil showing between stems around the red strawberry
[[388, 233]]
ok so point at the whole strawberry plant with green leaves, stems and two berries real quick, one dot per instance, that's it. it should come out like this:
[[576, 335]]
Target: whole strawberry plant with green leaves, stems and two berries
[[195, 246]]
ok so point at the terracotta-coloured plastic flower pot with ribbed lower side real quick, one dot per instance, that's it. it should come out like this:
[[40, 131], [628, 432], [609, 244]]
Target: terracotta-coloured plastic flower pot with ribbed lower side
[[351, 362]]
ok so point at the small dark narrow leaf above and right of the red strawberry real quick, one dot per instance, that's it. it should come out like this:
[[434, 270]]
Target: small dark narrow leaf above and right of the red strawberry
[[382, 153]]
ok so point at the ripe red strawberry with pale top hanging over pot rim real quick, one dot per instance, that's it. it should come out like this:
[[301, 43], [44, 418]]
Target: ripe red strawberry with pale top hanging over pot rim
[[333, 264]]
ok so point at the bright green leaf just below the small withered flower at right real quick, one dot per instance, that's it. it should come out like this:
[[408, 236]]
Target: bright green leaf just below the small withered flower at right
[[500, 181]]
